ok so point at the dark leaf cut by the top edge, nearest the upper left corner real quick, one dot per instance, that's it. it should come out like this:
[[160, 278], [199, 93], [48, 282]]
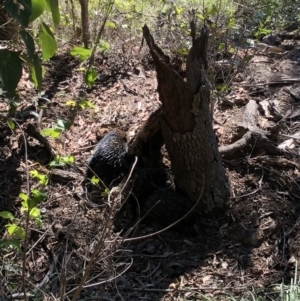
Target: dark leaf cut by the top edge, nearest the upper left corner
[[21, 15]]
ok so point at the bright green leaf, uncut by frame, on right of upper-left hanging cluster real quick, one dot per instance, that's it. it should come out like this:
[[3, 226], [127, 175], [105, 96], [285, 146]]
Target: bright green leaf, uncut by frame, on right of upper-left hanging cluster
[[47, 41]]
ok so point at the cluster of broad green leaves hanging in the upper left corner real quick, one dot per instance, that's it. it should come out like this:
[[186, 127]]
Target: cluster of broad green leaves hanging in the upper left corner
[[11, 61]]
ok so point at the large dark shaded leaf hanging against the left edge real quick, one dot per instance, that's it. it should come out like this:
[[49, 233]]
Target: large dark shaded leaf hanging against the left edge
[[10, 70]]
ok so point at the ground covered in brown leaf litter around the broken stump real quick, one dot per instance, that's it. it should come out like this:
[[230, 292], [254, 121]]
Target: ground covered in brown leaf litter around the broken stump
[[253, 249]]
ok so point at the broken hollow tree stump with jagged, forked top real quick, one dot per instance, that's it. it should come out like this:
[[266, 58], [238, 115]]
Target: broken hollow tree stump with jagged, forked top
[[187, 126]]
